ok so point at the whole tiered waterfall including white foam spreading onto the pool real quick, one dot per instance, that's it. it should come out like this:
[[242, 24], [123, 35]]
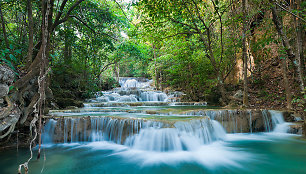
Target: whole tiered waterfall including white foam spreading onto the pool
[[144, 126]]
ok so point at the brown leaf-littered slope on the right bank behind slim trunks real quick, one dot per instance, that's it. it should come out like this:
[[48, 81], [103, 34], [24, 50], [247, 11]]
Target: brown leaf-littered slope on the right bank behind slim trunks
[[266, 88]]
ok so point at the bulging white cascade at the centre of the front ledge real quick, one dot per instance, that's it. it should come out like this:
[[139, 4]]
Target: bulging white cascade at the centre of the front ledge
[[187, 135]]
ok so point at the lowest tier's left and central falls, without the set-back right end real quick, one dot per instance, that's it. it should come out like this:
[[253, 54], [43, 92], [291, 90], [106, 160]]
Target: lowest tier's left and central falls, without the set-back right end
[[136, 133]]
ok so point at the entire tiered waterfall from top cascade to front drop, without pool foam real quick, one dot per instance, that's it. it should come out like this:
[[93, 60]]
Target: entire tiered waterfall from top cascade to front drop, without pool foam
[[134, 129]]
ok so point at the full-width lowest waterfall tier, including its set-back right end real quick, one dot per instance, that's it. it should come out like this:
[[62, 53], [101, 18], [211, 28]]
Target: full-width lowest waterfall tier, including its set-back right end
[[160, 135]]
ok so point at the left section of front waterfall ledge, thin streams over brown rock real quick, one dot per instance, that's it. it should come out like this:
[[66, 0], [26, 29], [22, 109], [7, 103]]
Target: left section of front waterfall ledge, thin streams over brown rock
[[93, 129]]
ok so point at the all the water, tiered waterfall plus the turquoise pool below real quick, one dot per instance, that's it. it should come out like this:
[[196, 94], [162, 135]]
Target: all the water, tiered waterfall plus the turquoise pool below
[[137, 130]]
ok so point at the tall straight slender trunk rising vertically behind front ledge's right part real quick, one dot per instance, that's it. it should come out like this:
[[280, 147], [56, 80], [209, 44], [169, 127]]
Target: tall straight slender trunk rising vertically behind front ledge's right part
[[245, 58]]
